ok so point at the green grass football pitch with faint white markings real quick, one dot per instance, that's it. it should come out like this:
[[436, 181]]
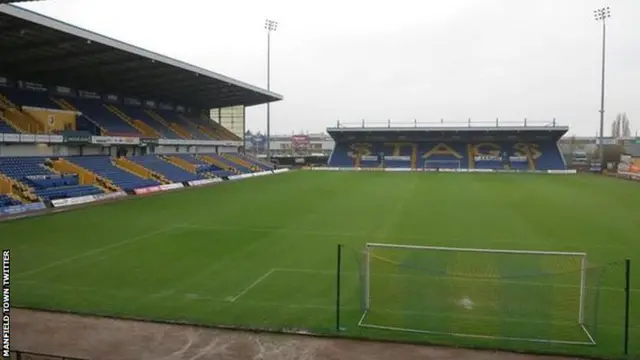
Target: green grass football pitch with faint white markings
[[262, 253]]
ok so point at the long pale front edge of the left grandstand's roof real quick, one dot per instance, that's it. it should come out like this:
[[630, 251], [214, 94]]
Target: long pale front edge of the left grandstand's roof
[[35, 17]]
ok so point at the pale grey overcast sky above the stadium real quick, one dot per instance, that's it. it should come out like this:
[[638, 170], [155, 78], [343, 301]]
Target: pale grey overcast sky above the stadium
[[398, 60]]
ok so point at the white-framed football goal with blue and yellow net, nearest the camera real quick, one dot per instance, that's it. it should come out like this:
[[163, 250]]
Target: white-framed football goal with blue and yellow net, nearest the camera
[[511, 295]]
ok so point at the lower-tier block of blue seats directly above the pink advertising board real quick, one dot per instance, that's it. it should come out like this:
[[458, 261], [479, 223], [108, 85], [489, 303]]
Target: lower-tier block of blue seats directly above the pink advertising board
[[103, 166]]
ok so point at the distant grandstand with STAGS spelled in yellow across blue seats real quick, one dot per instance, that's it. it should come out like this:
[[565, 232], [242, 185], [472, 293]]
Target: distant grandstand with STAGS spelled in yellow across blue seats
[[526, 146]]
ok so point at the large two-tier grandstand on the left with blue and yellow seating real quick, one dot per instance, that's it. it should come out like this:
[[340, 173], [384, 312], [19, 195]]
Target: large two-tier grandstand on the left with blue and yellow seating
[[67, 131]]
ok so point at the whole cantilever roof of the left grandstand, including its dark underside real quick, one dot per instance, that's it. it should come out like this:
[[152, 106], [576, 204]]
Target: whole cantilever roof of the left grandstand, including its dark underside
[[41, 49]]
